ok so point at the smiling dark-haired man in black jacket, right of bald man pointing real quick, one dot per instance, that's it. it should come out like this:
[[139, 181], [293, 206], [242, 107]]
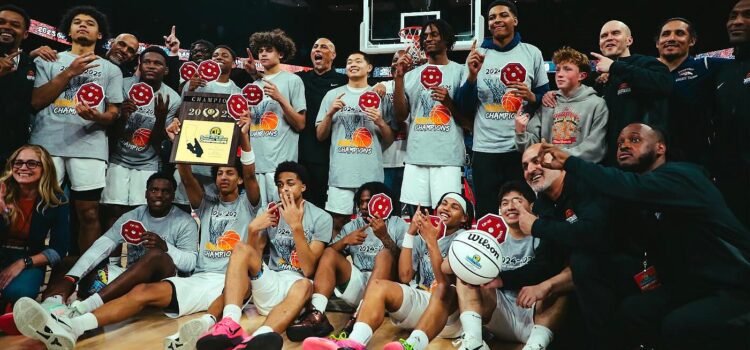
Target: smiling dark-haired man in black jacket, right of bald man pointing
[[690, 107]]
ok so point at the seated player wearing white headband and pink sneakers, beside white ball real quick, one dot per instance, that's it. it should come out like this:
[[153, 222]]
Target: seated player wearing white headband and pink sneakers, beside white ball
[[422, 280]]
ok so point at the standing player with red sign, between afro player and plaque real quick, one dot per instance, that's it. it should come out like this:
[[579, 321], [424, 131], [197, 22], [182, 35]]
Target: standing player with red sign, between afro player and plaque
[[137, 136]]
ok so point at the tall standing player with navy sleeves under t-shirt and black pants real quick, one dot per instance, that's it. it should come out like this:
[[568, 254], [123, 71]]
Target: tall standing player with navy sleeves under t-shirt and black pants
[[501, 71]]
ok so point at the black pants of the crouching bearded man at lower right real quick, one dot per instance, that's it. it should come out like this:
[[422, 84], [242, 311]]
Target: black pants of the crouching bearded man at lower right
[[717, 321]]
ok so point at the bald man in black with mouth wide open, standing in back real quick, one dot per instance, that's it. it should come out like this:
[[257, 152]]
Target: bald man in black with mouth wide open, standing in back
[[314, 154]]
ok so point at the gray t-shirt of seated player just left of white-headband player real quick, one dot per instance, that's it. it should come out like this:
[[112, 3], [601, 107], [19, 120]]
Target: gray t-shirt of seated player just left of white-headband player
[[363, 255]]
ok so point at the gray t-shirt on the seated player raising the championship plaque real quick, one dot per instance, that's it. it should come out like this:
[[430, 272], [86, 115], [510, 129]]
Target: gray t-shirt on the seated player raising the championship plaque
[[223, 224]]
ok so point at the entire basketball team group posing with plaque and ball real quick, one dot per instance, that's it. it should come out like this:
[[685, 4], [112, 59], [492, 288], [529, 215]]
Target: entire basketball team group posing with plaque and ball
[[466, 201]]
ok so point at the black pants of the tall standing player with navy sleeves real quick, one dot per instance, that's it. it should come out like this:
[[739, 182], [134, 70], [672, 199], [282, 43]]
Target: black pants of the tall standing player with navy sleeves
[[491, 171]]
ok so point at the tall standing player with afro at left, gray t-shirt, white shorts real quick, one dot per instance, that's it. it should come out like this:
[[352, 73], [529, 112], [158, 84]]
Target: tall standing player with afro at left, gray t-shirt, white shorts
[[72, 131]]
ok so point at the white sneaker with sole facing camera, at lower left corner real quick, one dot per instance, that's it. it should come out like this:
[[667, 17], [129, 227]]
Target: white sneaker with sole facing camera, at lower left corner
[[37, 323]]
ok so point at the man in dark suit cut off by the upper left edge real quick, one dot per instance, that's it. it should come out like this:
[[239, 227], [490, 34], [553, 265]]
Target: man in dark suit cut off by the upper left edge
[[17, 73]]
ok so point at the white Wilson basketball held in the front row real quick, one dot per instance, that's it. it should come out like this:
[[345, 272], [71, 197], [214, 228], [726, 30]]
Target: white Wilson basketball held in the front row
[[475, 257]]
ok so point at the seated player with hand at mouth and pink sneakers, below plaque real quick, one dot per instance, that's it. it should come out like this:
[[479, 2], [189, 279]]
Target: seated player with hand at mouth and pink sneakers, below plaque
[[297, 232]]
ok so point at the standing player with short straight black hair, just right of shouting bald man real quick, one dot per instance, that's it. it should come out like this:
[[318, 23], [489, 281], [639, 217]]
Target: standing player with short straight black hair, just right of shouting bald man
[[351, 115]]
